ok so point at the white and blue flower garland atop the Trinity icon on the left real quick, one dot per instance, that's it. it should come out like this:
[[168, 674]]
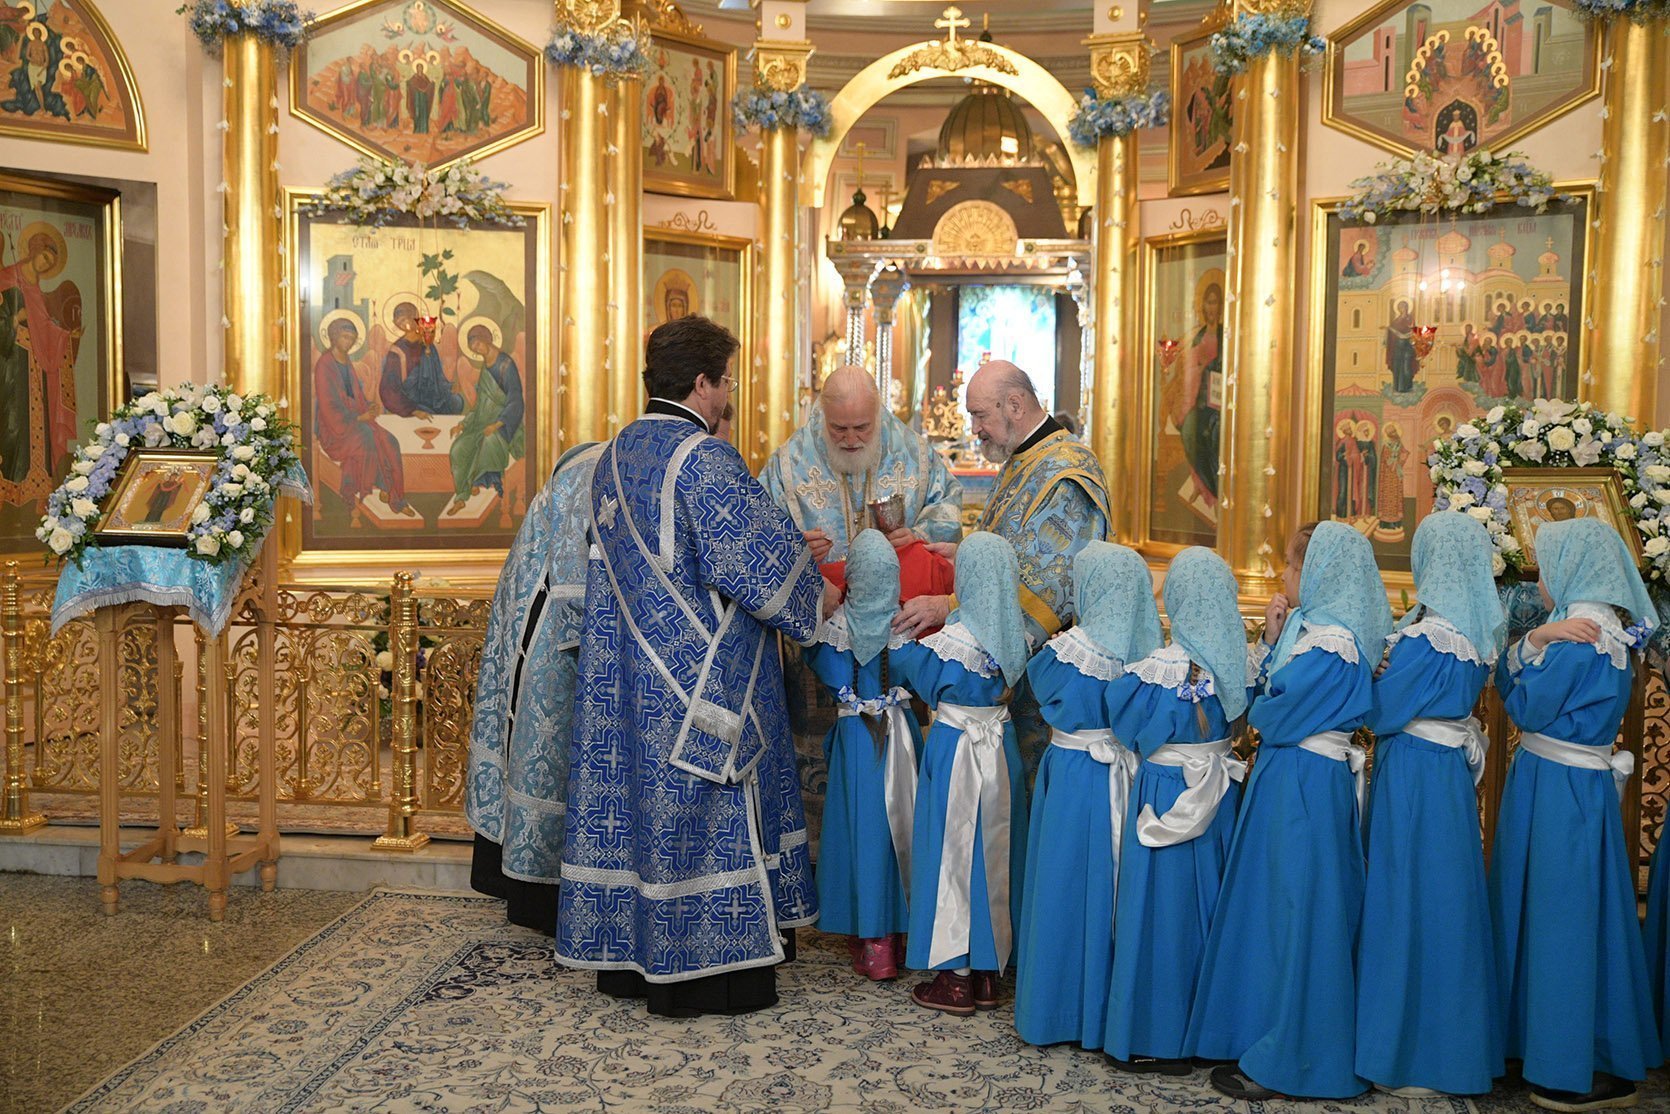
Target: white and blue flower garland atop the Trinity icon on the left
[[377, 191]]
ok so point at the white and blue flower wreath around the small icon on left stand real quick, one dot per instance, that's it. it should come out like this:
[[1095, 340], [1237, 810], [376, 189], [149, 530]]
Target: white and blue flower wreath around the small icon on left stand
[[236, 514]]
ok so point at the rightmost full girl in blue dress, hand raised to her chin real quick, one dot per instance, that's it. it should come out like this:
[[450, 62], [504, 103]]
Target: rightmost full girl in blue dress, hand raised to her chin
[[1562, 894]]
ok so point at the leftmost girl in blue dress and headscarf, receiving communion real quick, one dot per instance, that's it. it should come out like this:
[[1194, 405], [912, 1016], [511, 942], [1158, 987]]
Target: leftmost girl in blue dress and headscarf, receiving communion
[[864, 856]]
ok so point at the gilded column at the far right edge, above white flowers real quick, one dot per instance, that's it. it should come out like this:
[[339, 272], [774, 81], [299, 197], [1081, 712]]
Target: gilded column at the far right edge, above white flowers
[[1626, 350]]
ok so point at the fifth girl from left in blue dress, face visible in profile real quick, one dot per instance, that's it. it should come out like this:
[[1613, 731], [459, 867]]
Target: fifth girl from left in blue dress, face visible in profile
[[1278, 976]]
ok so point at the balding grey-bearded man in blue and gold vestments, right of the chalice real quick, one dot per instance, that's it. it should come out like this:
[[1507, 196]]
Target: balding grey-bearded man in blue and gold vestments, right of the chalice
[[1050, 502]]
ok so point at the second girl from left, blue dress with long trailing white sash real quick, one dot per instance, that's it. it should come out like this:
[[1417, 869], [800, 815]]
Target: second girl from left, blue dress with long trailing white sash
[[969, 843]]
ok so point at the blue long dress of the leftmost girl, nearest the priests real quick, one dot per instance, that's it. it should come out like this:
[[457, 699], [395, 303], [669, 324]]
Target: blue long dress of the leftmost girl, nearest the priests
[[861, 891]]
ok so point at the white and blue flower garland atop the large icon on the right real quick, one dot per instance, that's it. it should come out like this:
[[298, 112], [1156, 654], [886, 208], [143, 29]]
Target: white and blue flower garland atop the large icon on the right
[[1432, 185]]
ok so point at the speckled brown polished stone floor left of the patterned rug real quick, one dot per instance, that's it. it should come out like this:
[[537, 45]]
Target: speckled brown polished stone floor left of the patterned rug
[[83, 995]]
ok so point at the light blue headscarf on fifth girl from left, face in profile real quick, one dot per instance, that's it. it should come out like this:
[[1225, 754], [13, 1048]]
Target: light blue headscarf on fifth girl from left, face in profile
[[1340, 585]]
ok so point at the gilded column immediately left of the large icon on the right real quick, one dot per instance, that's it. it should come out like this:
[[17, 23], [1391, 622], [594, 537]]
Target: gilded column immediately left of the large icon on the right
[[1258, 417]]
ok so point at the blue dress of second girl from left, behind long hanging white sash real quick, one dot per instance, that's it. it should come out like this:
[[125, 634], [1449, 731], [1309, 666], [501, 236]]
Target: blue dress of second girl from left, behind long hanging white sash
[[939, 681]]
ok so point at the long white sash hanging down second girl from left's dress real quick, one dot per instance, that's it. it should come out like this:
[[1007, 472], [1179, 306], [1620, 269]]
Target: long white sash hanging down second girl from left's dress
[[978, 792]]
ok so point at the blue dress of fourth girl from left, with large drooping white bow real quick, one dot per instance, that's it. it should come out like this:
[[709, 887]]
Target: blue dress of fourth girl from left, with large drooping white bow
[[1166, 894]]
